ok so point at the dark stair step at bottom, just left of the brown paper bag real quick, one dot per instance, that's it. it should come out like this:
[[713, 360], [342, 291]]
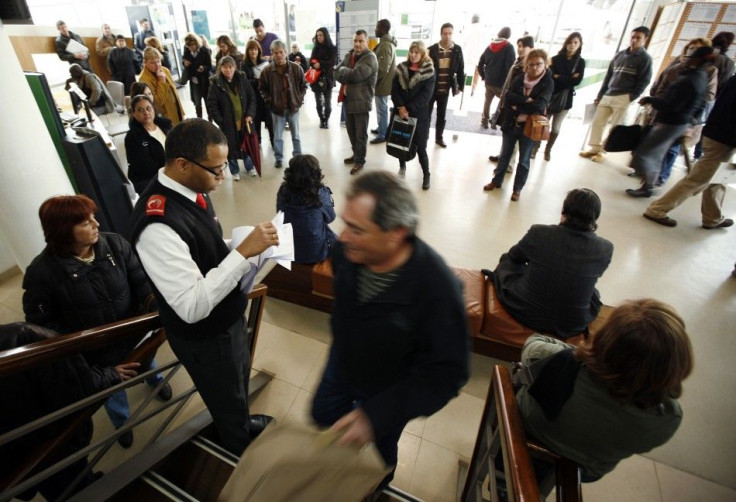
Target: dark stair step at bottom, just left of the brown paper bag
[[197, 468]]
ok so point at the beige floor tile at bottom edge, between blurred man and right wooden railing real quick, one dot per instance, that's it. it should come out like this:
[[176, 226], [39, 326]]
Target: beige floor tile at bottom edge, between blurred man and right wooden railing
[[435, 473]]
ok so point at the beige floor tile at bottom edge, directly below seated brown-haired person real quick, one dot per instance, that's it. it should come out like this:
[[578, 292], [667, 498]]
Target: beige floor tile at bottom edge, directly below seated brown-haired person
[[633, 480]]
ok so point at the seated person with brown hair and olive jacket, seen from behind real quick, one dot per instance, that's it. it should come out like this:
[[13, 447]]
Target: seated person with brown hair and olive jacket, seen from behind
[[615, 395]]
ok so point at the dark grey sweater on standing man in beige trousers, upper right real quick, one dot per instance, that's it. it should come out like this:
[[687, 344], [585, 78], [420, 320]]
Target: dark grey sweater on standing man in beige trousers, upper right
[[629, 73]]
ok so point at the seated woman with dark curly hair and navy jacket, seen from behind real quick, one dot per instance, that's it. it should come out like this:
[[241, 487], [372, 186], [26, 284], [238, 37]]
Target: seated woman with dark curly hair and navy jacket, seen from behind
[[307, 204]]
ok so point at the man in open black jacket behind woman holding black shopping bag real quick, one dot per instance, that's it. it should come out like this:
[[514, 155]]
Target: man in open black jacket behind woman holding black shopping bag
[[449, 67]]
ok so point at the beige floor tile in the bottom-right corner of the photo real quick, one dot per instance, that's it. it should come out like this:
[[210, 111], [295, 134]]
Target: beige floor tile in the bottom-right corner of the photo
[[677, 485]]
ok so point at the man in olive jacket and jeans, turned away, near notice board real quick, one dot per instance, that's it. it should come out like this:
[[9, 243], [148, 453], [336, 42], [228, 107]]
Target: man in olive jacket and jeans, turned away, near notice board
[[385, 53]]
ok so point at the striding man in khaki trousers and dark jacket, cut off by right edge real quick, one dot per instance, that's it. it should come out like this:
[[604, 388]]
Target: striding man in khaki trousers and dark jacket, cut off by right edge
[[719, 145]]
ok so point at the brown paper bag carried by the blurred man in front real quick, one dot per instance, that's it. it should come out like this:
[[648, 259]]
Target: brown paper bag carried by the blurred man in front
[[296, 462]]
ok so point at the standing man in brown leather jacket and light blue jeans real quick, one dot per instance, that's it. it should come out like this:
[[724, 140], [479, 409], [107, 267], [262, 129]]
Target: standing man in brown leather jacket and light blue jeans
[[282, 86]]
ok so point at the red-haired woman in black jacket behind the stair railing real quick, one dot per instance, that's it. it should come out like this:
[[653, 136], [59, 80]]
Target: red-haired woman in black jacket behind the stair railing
[[86, 278]]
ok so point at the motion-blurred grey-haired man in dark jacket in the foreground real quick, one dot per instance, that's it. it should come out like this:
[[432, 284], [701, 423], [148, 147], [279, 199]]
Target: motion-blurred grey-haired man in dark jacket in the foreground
[[400, 344]]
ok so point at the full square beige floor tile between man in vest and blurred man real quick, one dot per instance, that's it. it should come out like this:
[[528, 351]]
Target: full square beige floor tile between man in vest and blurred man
[[288, 355]]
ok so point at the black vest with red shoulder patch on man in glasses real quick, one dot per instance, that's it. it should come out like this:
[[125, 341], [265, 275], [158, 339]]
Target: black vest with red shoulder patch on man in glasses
[[201, 231]]
